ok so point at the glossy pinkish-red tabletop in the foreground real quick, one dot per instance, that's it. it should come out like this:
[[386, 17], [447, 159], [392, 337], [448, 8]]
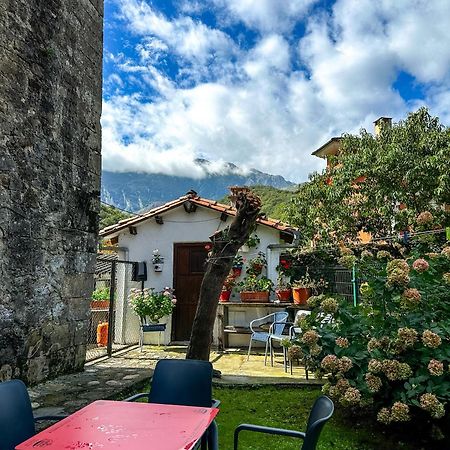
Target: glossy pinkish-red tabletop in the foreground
[[125, 425]]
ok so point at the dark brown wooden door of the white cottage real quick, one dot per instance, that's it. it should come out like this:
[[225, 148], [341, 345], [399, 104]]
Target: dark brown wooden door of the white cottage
[[189, 269]]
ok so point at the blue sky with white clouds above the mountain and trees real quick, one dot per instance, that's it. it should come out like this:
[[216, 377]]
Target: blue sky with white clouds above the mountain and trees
[[263, 83]]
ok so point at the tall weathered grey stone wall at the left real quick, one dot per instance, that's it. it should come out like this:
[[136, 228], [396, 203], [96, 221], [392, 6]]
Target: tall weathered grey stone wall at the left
[[50, 105]]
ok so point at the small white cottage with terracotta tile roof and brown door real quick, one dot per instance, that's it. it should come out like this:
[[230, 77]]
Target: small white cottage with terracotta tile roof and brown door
[[180, 230]]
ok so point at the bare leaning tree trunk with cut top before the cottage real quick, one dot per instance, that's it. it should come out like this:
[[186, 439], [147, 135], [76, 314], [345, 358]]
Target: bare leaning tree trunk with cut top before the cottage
[[225, 246]]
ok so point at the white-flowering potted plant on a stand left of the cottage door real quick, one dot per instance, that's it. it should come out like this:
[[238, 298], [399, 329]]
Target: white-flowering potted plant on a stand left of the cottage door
[[151, 306]]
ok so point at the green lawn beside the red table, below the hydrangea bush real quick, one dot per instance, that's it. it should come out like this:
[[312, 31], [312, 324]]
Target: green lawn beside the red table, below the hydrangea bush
[[289, 408]]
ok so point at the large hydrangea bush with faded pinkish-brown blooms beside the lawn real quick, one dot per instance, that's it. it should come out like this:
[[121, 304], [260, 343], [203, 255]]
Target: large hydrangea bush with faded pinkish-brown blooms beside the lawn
[[391, 353]]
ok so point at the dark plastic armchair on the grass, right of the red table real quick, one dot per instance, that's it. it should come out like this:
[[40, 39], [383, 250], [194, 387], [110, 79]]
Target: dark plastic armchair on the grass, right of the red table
[[321, 412]]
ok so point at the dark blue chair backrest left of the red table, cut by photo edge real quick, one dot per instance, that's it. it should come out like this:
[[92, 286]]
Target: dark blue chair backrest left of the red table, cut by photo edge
[[16, 414]]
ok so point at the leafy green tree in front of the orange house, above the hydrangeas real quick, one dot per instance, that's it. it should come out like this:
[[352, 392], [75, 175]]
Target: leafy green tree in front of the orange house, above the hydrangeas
[[379, 183]]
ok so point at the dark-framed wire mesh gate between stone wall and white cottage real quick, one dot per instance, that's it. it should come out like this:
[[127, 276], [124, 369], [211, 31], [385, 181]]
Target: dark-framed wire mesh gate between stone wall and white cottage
[[111, 324]]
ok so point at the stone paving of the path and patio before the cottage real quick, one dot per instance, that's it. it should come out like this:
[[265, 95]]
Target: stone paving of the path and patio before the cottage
[[131, 370]]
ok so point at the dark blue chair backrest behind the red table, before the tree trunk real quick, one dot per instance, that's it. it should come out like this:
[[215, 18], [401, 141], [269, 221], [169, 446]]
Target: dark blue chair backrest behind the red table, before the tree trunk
[[185, 382]]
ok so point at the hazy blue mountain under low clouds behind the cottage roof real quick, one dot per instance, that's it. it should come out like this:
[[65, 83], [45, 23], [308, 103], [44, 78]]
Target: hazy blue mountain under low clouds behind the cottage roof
[[136, 191]]
